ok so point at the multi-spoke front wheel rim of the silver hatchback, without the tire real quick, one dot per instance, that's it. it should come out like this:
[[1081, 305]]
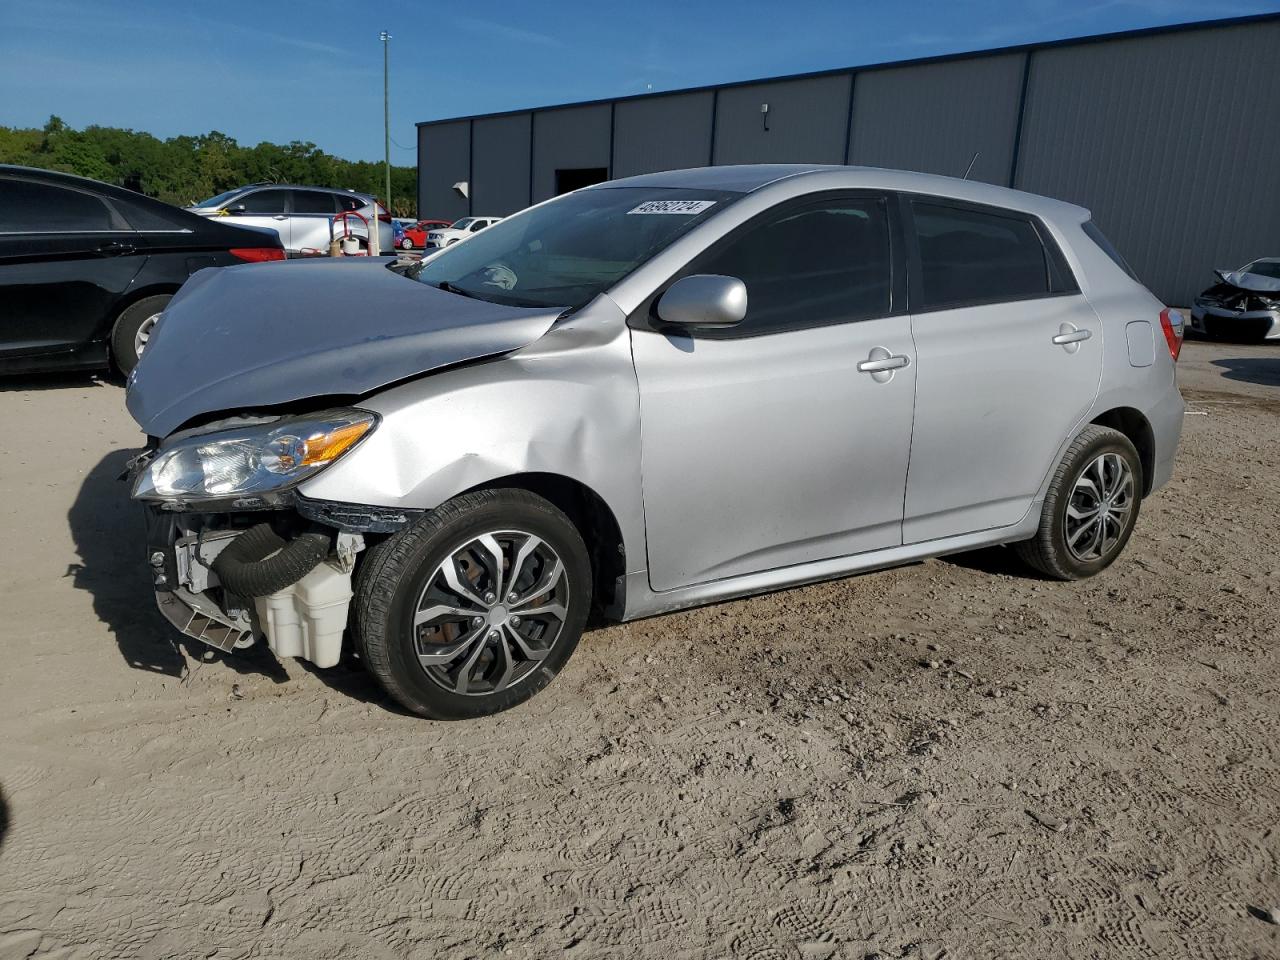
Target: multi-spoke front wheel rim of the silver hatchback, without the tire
[[491, 612]]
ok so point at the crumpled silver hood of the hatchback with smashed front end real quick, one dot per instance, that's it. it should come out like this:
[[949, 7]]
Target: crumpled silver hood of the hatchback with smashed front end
[[260, 335]]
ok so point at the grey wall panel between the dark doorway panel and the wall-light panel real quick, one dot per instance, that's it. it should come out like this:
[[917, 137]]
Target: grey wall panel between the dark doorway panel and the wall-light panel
[[662, 134]]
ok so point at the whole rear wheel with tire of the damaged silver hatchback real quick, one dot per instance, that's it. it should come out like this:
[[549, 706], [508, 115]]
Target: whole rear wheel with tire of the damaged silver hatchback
[[1091, 508]]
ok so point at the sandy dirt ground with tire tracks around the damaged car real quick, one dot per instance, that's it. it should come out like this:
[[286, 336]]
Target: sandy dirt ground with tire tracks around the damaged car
[[952, 760]]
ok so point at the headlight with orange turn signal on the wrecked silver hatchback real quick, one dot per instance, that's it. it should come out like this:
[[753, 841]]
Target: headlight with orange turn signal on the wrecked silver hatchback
[[249, 465]]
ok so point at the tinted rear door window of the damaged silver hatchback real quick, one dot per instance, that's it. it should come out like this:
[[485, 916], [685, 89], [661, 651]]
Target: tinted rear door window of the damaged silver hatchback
[[968, 257]]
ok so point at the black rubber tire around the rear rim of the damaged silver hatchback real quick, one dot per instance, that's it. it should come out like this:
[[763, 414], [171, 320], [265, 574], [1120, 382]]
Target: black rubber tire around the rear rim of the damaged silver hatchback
[[1049, 552]]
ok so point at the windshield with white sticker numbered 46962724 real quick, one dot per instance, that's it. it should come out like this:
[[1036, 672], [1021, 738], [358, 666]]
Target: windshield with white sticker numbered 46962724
[[565, 253]]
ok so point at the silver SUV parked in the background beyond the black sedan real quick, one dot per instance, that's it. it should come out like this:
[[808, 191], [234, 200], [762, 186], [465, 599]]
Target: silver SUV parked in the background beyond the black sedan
[[301, 216]]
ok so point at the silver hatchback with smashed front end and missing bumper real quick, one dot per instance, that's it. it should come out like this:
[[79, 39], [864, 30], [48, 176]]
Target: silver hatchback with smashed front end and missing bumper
[[647, 395]]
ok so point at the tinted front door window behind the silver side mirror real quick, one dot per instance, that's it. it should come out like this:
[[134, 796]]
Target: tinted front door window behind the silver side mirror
[[819, 264]]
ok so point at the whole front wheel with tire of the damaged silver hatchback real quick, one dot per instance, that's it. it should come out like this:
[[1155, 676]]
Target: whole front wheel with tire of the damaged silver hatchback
[[477, 607]]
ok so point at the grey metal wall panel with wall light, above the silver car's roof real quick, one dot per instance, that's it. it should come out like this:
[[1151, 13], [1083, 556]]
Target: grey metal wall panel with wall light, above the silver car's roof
[[808, 122]]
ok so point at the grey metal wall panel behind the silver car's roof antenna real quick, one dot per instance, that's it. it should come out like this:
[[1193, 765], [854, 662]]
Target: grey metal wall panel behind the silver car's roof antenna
[[936, 117]]
